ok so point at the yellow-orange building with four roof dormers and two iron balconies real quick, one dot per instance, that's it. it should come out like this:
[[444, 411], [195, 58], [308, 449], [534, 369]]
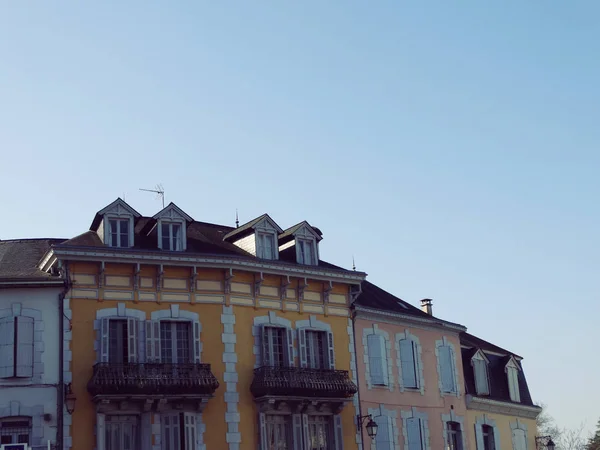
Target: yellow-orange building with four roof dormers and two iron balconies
[[190, 335]]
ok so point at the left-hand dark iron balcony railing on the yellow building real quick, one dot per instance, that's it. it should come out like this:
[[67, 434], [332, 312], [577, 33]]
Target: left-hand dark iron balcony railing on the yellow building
[[152, 379]]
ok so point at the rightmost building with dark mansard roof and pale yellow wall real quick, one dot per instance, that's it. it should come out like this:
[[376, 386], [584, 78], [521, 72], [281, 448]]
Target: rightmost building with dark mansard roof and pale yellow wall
[[499, 405]]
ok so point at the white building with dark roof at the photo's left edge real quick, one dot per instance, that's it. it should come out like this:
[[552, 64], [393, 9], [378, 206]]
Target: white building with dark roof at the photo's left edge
[[31, 388]]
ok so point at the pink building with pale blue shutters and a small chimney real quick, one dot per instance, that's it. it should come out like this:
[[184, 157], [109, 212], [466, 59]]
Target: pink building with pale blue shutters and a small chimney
[[410, 374]]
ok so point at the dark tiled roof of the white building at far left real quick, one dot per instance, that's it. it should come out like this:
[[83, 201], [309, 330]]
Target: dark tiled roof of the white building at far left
[[19, 258]]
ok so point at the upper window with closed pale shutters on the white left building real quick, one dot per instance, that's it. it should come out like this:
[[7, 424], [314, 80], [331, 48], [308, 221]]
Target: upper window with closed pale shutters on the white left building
[[16, 347]]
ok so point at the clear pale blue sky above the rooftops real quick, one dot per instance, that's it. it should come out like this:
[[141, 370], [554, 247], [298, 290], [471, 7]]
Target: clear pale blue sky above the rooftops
[[449, 147]]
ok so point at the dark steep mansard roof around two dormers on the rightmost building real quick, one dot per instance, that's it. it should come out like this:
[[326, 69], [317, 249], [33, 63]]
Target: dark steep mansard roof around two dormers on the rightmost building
[[498, 380]]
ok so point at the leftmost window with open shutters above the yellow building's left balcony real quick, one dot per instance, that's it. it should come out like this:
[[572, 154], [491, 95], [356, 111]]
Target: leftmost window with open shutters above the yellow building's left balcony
[[119, 340]]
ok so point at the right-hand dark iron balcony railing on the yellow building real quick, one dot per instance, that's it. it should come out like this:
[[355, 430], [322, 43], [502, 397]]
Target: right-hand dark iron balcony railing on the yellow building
[[302, 382]]
